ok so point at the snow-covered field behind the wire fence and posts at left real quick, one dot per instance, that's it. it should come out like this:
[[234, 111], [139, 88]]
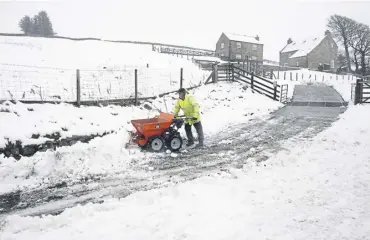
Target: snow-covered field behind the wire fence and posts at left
[[45, 69]]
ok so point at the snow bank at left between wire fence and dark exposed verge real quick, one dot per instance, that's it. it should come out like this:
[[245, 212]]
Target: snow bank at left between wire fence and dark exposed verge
[[19, 122]]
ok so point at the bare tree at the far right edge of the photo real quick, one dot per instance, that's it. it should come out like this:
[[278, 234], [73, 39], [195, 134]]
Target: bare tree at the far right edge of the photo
[[360, 42]]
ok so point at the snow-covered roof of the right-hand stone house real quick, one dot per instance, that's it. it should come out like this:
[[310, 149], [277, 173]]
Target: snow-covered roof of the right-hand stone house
[[302, 47]]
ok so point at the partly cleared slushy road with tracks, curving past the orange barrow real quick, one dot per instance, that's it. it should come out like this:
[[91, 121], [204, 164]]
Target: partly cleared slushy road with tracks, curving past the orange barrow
[[236, 147]]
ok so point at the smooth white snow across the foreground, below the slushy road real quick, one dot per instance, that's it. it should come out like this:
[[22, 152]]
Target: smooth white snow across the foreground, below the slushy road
[[316, 189]]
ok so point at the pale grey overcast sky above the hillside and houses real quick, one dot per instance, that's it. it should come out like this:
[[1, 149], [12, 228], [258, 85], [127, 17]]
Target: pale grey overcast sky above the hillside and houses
[[191, 22]]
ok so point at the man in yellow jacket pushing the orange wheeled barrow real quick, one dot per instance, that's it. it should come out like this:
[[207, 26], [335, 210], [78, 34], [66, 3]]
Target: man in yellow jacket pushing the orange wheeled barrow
[[190, 107]]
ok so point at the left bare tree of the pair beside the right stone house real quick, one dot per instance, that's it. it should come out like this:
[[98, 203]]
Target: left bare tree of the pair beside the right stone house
[[341, 28]]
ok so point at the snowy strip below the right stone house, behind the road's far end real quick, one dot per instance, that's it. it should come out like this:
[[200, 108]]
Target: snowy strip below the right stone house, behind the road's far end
[[341, 83]]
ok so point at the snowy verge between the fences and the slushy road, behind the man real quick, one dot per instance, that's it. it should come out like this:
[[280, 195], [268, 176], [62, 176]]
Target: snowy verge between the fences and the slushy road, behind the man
[[107, 155]]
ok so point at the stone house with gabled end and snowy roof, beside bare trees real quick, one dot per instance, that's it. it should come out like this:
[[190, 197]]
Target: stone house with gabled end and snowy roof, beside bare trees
[[312, 53]]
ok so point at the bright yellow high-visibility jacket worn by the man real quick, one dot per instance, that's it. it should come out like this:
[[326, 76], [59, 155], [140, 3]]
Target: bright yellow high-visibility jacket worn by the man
[[189, 107]]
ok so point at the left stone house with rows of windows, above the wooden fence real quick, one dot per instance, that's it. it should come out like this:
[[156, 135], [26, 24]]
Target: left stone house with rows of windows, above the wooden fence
[[237, 47]]
